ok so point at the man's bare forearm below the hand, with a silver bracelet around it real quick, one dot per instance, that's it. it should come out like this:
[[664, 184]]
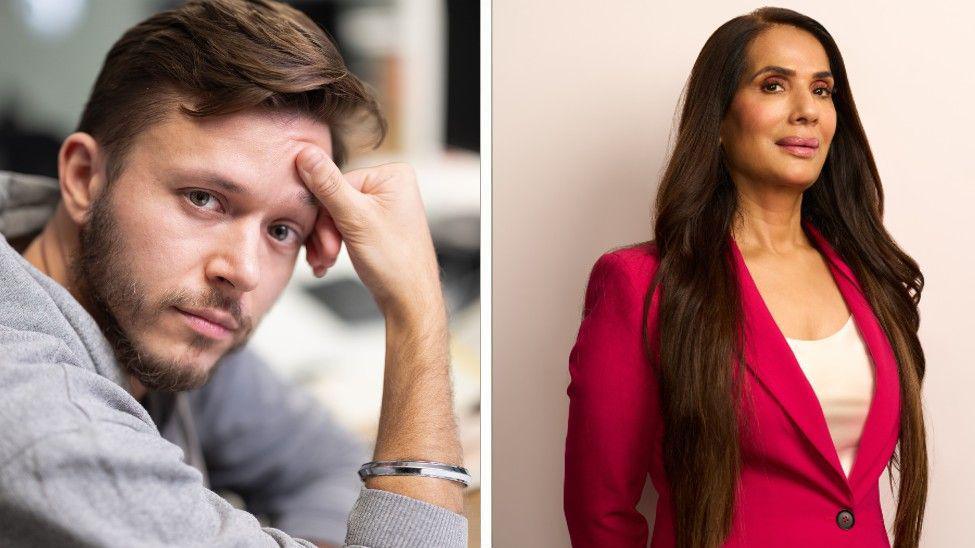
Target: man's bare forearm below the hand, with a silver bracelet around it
[[417, 419]]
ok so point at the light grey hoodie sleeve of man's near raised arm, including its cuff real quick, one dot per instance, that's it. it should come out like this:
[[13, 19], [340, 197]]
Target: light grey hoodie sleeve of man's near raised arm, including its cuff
[[81, 464]]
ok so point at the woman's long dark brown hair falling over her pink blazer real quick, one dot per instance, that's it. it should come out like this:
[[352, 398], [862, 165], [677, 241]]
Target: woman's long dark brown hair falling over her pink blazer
[[698, 344]]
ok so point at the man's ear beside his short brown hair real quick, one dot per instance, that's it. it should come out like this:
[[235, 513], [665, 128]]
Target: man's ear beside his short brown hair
[[80, 174]]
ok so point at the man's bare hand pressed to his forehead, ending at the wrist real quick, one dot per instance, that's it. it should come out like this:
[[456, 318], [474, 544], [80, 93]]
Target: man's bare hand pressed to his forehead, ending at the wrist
[[379, 214]]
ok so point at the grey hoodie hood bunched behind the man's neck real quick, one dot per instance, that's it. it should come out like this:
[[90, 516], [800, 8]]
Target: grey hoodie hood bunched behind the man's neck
[[26, 203]]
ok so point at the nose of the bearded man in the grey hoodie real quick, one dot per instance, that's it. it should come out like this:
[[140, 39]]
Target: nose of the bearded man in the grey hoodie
[[235, 260]]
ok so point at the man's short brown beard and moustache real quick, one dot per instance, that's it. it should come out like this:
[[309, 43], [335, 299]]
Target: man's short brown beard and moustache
[[101, 272]]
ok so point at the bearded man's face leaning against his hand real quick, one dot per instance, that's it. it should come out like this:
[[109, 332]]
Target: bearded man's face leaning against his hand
[[188, 249]]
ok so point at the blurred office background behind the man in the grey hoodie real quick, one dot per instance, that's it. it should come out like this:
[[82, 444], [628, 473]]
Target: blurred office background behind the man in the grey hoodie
[[422, 58]]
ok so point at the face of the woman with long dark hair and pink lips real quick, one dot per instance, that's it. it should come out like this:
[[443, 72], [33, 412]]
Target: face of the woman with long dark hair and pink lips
[[786, 92]]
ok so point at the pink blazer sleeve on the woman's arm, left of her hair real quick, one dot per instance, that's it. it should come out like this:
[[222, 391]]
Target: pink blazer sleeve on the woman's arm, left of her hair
[[611, 411]]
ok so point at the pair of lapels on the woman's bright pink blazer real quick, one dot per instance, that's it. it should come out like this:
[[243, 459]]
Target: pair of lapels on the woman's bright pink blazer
[[773, 363]]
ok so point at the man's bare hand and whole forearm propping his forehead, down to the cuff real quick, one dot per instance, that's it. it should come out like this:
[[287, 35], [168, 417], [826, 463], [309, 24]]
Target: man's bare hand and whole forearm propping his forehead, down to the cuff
[[378, 213]]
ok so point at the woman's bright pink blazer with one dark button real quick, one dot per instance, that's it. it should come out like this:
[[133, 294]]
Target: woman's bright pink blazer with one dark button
[[792, 490]]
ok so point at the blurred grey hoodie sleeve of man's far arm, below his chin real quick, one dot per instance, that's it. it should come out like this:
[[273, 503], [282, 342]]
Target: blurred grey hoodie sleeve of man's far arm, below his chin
[[275, 445]]
